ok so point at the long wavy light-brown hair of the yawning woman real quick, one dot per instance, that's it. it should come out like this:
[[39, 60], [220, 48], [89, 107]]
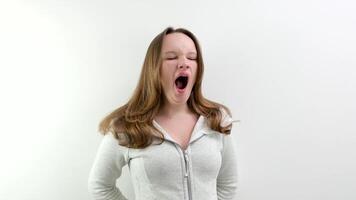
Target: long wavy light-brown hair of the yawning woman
[[132, 123]]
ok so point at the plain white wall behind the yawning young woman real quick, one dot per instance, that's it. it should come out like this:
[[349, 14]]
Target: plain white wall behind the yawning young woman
[[287, 70]]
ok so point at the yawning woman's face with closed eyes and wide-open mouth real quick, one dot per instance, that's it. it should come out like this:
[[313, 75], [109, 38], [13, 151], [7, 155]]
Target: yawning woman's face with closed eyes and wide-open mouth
[[179, 67]]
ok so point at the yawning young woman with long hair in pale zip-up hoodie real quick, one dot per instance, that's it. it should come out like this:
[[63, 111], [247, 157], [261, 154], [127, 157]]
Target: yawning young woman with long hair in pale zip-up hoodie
[[176, 143]]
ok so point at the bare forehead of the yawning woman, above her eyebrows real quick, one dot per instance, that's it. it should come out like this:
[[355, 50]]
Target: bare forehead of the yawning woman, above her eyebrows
[[178, 42]]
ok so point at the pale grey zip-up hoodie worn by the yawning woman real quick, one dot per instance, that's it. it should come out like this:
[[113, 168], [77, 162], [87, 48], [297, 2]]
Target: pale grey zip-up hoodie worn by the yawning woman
[[206, 170]]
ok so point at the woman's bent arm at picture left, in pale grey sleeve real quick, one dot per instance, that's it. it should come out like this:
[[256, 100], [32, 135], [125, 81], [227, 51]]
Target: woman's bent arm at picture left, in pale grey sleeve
[[107, 167]]
